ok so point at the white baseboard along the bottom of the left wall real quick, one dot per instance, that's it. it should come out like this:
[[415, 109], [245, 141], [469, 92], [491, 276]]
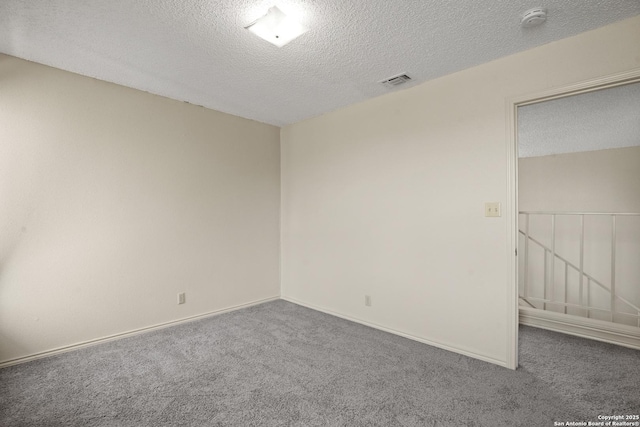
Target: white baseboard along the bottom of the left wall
[[133, 332]]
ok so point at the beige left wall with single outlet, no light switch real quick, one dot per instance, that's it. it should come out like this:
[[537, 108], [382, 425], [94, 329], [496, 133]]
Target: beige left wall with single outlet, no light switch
[[114, 200]]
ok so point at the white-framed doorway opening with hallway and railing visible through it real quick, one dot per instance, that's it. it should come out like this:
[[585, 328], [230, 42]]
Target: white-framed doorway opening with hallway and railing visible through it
[[575, 227]]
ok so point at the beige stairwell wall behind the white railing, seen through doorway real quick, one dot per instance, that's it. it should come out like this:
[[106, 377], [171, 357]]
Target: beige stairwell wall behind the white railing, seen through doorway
[[592, 181]]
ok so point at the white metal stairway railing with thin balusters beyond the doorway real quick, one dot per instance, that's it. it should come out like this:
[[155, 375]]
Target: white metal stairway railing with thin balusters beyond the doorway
[[584, 297]]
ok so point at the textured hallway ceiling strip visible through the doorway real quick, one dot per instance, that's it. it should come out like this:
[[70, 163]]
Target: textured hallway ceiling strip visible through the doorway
[[607, 118]]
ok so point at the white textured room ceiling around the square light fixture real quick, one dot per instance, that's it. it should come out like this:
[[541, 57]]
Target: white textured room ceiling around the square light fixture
[[198, 51]]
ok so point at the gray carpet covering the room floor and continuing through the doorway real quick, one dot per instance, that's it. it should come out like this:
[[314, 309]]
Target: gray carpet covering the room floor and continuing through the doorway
[[279, 364]]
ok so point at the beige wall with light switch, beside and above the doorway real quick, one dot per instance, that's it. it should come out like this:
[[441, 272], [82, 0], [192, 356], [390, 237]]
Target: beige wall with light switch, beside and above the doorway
[[385, 197]]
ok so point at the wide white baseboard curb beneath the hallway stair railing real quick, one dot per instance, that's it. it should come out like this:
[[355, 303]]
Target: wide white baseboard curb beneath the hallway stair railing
[[614, 333]]
